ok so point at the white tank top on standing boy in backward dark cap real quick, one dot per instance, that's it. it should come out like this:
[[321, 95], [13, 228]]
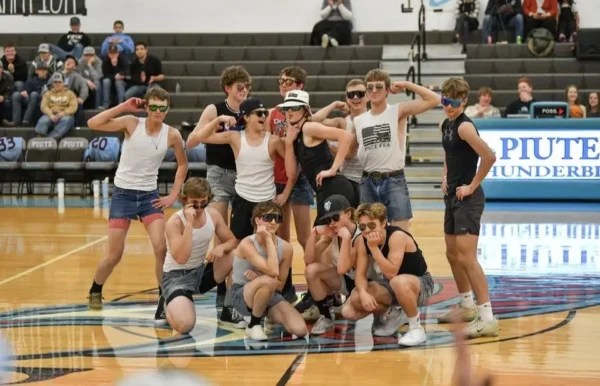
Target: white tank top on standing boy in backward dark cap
[[255, 180]]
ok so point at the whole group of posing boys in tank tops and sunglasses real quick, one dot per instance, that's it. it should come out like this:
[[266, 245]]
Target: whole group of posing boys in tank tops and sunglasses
[[364, 252]]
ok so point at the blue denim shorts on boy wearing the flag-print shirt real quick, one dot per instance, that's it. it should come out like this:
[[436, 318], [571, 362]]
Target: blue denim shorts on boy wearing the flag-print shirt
[[391, 192]]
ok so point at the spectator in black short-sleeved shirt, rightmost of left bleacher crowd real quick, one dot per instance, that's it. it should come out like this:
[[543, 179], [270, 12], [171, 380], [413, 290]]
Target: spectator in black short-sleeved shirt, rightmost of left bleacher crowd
[[145, 72]]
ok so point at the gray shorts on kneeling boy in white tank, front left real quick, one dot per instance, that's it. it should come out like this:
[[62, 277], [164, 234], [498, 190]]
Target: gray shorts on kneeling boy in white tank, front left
[[187, 282]]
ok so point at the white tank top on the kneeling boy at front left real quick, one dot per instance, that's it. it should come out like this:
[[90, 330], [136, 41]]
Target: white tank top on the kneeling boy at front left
[[201, 238]]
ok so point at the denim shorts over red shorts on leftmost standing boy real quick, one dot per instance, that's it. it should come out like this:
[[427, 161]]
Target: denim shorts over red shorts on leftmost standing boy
[[128, 204]]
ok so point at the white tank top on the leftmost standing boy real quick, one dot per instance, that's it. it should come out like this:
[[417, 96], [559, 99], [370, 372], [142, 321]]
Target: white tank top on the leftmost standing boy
[[141, 156]]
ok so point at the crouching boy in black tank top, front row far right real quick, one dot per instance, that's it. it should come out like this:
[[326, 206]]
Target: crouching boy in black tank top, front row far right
[[402, 277]]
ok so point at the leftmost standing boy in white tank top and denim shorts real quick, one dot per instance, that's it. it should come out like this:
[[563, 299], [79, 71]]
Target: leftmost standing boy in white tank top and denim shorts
[[135, 194]]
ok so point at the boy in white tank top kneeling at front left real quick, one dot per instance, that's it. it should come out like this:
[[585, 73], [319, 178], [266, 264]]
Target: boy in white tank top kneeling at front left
[[189, 269]]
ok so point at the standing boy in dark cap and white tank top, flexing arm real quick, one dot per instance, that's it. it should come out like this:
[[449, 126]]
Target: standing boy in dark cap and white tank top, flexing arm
[[254, 151]]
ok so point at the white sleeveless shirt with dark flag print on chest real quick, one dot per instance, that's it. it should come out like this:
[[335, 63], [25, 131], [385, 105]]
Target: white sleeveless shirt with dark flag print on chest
[[378, 140]]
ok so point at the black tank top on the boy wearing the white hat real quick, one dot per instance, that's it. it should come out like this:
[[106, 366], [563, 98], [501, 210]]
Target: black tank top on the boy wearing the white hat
[[313, 160]]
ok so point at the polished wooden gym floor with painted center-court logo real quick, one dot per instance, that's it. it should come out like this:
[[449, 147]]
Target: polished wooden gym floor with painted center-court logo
[[543, 269]]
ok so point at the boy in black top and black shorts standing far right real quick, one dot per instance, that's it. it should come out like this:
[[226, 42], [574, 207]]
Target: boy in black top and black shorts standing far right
[[464, 200]]
